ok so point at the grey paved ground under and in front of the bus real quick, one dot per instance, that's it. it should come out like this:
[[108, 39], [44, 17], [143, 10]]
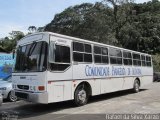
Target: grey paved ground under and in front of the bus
[[146, 101]]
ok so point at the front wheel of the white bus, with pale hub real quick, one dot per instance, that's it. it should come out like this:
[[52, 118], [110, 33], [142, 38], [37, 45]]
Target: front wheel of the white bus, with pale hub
[[81, 95]]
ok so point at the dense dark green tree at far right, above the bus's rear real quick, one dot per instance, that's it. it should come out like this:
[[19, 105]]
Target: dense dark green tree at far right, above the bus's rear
[[142, 31]]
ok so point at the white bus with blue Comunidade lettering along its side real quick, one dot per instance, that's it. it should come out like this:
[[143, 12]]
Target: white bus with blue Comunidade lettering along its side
[[51, 67]]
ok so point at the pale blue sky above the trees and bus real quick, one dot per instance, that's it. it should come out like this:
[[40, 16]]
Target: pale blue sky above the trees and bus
[[20, 14]]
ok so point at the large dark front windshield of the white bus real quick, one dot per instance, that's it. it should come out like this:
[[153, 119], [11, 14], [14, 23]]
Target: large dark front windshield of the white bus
[[32, 57]]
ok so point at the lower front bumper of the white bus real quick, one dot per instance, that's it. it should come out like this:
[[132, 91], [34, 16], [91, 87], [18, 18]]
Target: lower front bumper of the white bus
[[32, 97]]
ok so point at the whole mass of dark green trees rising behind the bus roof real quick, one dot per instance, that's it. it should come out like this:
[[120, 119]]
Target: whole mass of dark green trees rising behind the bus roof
[[130, 25]]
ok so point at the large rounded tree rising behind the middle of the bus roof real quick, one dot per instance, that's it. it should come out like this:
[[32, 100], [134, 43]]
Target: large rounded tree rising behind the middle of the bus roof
[[86, 21]]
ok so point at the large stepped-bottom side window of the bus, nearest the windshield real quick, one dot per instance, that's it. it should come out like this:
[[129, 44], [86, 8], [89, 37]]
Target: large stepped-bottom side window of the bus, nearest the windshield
[[62, 58]]
